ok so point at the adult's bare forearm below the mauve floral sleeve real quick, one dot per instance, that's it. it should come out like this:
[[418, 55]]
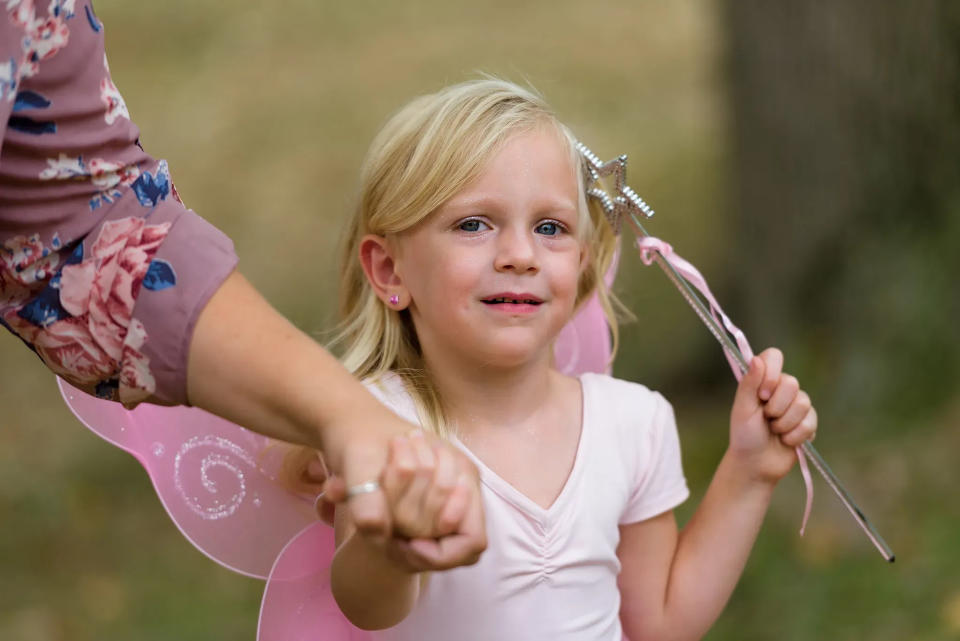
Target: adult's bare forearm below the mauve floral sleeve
[[250, 365]]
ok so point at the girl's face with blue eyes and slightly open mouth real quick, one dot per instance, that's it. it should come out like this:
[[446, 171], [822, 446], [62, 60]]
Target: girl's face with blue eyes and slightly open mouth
[[492, 274]]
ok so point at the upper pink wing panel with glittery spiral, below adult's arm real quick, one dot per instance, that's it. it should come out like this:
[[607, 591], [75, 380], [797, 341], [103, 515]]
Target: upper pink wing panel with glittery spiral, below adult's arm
[[216, 479]]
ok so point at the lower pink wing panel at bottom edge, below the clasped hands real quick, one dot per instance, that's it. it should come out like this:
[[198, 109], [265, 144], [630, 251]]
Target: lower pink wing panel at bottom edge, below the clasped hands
[[298, 604]]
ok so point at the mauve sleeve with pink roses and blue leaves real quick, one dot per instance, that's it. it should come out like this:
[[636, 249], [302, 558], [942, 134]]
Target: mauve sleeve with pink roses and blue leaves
[[103, 271]]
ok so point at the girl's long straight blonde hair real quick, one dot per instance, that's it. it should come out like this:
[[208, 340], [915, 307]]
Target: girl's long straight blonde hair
[[426, 153]]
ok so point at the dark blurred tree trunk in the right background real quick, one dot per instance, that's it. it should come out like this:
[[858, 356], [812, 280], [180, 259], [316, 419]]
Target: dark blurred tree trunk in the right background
[[846, 129]]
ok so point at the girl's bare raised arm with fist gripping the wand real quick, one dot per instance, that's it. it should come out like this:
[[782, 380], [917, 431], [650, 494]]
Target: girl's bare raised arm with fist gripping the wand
[[674, 585]]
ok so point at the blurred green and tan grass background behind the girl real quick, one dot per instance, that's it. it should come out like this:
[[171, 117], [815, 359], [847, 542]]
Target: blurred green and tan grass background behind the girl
[[264, 112]]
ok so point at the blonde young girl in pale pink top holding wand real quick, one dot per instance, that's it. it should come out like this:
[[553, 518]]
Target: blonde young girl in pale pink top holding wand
[[472, 246]]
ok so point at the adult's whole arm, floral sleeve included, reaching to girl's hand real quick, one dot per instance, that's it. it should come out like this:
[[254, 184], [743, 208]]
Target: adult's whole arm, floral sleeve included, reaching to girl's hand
[[127, 294]]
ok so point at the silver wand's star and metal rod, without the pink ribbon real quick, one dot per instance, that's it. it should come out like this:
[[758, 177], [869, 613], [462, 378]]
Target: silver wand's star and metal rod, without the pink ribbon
[[626, 204]]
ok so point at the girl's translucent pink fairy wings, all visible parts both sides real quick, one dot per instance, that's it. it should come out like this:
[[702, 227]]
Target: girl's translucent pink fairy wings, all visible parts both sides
[[217, 482]]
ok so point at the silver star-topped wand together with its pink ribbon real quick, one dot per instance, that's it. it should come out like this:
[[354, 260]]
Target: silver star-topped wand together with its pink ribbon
[[689, 282]]
